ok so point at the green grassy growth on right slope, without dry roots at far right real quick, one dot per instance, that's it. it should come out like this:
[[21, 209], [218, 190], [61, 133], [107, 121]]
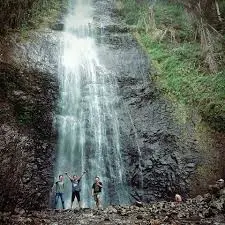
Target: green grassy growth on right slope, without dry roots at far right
[[182, 73]]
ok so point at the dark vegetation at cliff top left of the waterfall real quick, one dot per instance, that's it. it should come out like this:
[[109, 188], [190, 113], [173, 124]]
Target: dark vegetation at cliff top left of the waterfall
[[17, 14]]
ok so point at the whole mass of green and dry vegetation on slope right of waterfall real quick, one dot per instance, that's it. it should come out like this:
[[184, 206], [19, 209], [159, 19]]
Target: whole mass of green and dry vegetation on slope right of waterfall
[[186, 45]]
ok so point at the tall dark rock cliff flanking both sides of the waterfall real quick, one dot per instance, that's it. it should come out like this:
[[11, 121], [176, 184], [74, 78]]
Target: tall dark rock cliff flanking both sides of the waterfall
[[162, 155]]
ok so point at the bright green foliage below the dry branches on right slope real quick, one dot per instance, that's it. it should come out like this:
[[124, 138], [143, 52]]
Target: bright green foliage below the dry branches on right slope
[[181, 77]]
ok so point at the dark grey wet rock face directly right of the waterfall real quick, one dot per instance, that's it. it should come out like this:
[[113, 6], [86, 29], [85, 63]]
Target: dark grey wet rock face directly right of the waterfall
[[158, 159]]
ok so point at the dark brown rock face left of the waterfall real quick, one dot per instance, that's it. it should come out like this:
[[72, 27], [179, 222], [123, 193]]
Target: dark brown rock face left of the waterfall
[[27, 134]]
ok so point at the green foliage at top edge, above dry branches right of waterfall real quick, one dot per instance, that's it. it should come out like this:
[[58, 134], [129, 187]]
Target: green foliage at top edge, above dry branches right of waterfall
[[166, 16]]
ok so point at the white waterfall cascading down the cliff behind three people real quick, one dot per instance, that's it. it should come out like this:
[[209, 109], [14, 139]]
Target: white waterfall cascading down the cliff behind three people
[[89, 135]]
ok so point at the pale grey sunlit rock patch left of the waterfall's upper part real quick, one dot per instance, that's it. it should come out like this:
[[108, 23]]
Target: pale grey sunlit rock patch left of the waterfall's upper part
[[37, 51]]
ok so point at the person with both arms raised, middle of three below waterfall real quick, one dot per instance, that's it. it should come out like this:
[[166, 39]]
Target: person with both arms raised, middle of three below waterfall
[[75, 180]]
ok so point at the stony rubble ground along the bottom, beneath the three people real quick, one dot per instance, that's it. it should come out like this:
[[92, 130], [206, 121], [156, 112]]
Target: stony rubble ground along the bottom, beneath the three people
[[202, 210]]
